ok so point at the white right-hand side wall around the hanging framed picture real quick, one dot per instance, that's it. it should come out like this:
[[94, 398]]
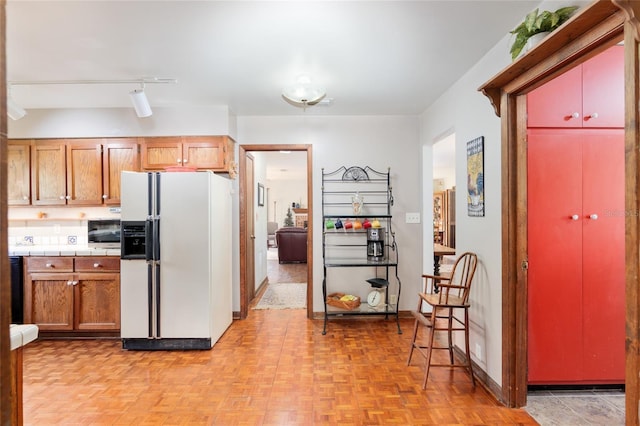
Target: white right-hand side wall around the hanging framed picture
[[471, 115]]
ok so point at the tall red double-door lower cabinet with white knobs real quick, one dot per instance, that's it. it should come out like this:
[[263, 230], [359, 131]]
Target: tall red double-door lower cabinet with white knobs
[[576, 255]]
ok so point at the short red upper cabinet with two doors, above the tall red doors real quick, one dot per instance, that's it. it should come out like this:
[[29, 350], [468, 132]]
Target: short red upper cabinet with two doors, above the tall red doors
[[590, 95]]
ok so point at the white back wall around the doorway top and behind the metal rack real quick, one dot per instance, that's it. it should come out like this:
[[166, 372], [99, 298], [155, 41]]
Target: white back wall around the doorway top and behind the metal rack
[[378, 142]]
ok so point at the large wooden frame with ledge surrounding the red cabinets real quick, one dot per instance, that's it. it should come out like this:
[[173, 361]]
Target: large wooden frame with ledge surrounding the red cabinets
[[593, 29]]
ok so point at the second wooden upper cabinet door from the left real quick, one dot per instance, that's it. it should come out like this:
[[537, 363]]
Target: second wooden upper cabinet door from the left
[[48, 173]]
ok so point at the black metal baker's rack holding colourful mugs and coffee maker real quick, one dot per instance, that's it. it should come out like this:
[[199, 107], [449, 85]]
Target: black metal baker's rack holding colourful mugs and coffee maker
[[349, 247]]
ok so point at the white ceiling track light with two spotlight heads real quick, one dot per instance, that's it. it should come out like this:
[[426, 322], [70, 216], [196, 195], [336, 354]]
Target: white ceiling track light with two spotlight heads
[[138, 97]]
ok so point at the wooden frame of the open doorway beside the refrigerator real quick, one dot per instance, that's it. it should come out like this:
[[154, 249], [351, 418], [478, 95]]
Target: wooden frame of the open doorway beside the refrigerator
[[242, 149]]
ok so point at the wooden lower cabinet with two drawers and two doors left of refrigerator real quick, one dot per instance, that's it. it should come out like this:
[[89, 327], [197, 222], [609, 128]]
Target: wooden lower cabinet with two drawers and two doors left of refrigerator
[[73, 294]]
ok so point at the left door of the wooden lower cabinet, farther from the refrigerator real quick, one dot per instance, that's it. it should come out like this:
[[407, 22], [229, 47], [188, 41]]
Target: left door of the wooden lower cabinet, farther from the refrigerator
[[49, 301]]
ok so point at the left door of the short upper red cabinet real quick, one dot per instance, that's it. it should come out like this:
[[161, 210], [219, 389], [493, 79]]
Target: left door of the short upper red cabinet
[[555, 103]]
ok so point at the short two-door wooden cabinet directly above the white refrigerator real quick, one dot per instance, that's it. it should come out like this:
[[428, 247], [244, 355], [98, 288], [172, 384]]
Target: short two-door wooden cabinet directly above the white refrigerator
[[201, 152]]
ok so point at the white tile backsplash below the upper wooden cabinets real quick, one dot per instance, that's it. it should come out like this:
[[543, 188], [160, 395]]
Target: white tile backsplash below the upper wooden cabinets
[[62, 226]]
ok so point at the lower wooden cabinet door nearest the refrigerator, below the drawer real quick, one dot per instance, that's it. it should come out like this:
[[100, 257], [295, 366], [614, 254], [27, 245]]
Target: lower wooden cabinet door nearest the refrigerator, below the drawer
[[97, 302]]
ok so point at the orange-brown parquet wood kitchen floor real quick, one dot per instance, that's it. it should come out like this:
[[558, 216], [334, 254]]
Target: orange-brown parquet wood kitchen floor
[[274, 368]]
